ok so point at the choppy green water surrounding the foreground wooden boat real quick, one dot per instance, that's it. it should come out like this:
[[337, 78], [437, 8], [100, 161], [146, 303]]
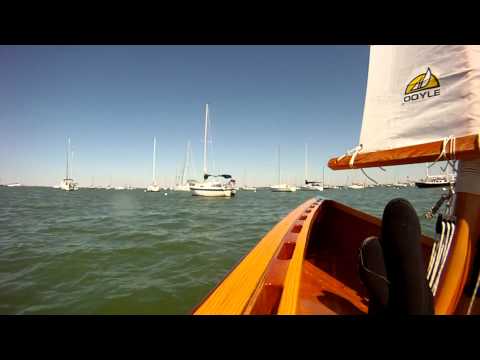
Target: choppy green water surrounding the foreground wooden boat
[[131, 252]]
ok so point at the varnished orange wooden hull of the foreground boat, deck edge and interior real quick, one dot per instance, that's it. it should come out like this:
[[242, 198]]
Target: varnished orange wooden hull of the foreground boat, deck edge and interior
[[307, 264]]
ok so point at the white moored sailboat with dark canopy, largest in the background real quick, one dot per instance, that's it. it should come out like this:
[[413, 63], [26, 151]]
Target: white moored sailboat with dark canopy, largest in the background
[[212, 185]]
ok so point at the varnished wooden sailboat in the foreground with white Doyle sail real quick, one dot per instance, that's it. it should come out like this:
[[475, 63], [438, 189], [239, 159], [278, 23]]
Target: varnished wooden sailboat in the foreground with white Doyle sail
[[328, 258]]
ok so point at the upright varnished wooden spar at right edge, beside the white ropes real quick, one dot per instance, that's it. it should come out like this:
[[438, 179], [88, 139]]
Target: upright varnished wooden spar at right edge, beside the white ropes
[[459, 262]]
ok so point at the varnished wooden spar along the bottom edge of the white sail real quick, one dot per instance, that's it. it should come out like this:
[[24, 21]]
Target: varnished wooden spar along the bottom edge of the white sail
[[466, 148]]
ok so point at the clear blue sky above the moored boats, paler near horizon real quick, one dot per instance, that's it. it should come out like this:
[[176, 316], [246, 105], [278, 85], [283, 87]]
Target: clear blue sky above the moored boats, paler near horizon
[[112, 100]]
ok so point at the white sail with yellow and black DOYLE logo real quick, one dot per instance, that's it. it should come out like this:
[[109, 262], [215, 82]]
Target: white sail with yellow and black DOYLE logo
[[420, 94]]
